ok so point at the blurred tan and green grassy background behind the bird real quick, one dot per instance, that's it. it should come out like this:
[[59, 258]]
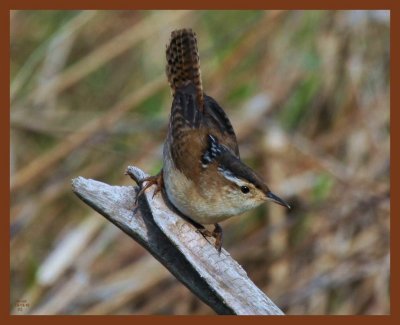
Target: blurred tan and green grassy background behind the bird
[[308, 95]]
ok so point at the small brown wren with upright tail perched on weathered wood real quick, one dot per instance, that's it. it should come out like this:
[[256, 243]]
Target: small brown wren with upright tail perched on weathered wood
[[203, 176]]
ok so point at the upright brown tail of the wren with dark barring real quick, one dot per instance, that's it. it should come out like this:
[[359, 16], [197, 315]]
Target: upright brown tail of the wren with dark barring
[[183, 62]]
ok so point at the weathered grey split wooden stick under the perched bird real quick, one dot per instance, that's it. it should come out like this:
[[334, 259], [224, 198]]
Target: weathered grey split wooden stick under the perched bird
[[218, 280]]
